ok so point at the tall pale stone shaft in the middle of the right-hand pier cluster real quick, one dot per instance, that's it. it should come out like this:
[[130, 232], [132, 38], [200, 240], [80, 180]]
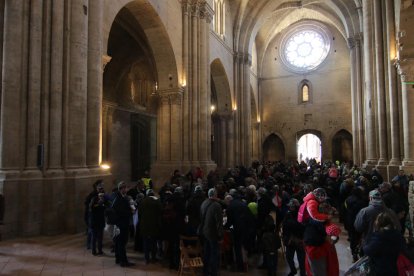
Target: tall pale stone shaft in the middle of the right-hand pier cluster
[[380, 85]]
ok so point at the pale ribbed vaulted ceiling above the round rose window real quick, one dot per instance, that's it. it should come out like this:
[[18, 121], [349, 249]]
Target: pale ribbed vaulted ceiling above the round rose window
[[260, 21]]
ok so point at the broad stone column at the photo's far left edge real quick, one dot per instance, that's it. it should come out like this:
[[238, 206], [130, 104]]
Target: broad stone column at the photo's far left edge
[[12, 84]]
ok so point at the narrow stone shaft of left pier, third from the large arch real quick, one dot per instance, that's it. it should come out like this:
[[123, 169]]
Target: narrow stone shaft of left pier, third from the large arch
[[56, 87]]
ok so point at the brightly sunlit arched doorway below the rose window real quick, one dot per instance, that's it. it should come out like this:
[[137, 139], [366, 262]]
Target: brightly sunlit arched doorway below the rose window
[[309, 147]]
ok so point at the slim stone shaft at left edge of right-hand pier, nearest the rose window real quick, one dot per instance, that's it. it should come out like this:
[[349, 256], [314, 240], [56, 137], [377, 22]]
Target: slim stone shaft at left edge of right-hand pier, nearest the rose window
[[354, 44]]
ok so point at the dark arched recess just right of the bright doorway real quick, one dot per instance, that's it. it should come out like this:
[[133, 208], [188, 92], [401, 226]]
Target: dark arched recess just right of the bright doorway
[[342, 146]]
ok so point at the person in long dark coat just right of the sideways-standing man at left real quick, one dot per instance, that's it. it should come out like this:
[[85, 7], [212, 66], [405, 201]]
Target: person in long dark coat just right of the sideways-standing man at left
[[150, 214]]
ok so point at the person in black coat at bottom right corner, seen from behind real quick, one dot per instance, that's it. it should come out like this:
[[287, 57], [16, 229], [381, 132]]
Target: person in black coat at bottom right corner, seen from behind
[[384, 245]]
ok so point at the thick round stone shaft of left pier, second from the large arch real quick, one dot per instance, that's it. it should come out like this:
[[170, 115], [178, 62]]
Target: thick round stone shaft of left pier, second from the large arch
[[77, 94]]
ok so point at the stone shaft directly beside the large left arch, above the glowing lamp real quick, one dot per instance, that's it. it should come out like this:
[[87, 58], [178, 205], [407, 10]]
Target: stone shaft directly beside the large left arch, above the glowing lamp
[[94, 98]]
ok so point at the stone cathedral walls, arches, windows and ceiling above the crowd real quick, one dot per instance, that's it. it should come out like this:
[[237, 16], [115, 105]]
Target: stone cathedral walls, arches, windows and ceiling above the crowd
[[109, 89]]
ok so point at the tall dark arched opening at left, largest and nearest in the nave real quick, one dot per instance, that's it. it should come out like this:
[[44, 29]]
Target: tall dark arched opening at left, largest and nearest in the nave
[[130, 104]]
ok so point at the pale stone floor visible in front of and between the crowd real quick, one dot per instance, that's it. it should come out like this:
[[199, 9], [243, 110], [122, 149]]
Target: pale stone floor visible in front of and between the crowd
[[65, 255]]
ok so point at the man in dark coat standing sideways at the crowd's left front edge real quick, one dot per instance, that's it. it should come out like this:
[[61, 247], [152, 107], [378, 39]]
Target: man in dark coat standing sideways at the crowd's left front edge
[[123, 210]]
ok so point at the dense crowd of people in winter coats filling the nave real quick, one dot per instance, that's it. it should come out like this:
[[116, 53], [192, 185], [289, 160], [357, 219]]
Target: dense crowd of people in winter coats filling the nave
[[255, 211]]
